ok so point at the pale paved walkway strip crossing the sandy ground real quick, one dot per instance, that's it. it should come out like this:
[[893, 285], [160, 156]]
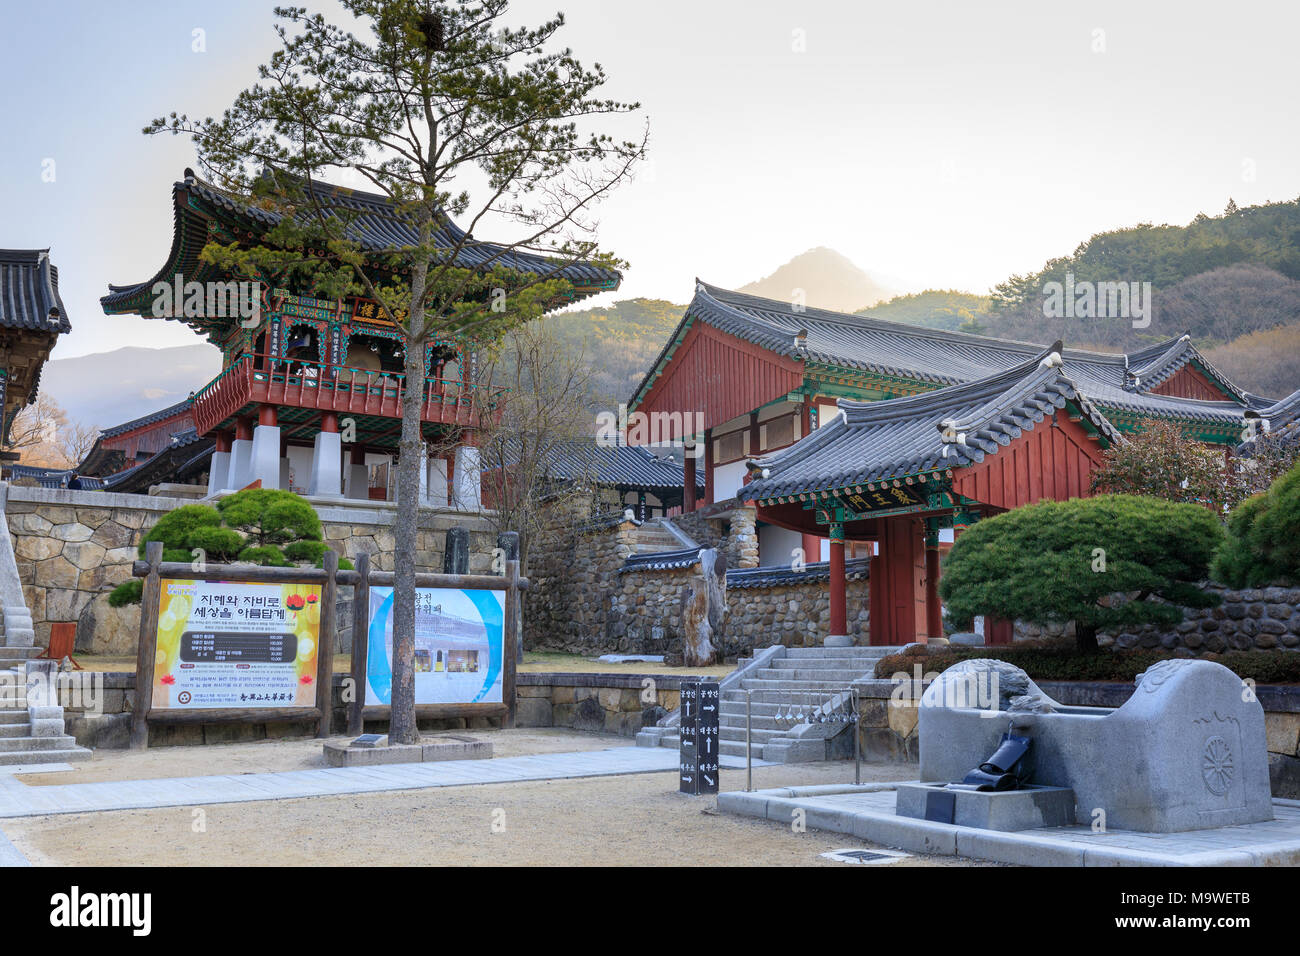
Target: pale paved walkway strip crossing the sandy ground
[[20, 801]]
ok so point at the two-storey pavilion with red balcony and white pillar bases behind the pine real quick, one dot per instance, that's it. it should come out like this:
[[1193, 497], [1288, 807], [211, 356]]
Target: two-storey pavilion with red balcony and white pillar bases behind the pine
[[306, 366]]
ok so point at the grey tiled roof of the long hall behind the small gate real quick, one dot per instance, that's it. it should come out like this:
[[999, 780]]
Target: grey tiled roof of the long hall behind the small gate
[[939, 357]]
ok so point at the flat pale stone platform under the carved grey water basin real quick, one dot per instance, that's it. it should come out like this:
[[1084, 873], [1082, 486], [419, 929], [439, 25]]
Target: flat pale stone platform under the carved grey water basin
[[868, 812]]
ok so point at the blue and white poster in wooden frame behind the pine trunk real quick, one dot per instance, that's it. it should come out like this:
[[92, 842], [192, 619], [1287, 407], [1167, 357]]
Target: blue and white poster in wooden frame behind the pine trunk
[[458, 647]]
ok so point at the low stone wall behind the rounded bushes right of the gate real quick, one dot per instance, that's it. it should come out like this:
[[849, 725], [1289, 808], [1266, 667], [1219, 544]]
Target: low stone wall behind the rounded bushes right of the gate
[[1251, 620]]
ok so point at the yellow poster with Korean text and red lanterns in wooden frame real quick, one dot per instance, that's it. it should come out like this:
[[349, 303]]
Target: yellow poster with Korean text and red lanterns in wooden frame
[[228, 644]]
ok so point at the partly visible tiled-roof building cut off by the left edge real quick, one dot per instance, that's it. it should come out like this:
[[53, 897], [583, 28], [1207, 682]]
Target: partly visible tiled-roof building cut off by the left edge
[[32, 319]]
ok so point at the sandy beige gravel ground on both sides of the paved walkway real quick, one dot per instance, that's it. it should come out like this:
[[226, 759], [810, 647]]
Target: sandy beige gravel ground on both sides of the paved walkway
[[631, 820]]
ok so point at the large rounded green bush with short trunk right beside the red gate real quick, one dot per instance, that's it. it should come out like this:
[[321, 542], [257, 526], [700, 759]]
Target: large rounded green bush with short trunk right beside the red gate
[[1110, 563]]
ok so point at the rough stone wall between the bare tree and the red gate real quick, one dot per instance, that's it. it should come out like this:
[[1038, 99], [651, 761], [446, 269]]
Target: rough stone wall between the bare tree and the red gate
[[583, 602]]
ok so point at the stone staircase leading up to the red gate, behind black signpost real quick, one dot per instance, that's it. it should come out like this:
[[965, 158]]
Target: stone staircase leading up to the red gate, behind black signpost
[[788, 681]]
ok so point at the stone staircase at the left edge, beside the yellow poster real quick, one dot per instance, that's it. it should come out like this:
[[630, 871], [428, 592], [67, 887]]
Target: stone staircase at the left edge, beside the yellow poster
[[32, 729]]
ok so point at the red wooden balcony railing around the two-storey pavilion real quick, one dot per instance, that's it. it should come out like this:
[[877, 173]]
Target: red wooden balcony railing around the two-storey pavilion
[[296, 383]]
